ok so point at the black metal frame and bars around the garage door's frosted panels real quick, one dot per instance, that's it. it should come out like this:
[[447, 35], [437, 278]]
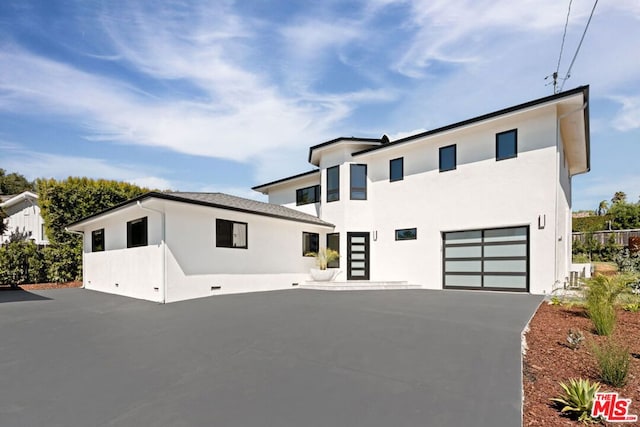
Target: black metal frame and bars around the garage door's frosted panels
[[482, 259]]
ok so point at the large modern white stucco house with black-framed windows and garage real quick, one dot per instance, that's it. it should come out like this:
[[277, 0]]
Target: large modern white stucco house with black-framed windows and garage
[[481, 204]]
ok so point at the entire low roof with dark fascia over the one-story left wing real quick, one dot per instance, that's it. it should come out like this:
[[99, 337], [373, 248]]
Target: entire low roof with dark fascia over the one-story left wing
[[218, 200]]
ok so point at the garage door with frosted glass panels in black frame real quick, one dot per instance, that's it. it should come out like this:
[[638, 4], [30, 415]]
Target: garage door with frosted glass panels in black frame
[[491, 259]]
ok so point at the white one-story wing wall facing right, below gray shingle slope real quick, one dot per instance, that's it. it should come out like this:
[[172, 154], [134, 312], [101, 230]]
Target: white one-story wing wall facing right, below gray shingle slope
[[272, 260]]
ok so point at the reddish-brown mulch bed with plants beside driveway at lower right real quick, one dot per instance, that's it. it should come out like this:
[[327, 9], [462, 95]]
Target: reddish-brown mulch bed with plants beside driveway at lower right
[[548, 361]]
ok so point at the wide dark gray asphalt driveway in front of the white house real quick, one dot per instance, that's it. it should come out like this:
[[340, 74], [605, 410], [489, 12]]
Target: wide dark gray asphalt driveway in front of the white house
[[75, 357]]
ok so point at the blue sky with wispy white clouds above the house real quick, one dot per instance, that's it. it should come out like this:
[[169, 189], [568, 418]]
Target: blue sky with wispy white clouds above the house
[[223, 95]]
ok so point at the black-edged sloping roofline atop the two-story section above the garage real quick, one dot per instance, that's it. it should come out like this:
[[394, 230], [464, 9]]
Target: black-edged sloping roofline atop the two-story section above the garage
[[584, 90]]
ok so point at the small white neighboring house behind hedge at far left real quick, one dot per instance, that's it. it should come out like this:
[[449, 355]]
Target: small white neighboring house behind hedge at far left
[[23, 216]]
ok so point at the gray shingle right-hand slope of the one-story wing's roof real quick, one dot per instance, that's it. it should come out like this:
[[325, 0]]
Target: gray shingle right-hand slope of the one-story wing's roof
[[228, 201]]
